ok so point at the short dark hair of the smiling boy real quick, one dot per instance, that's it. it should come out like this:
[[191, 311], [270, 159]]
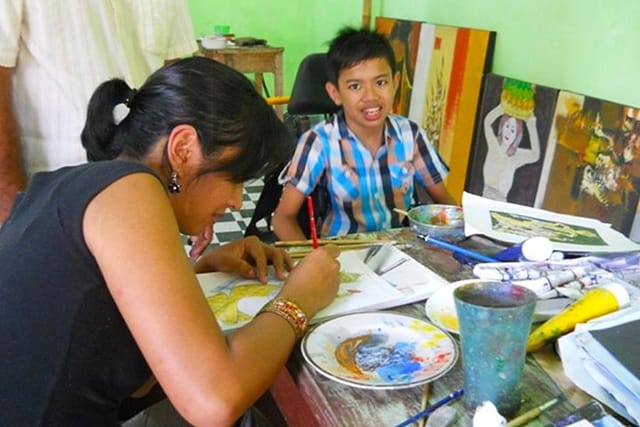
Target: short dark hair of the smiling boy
[[352, 46]]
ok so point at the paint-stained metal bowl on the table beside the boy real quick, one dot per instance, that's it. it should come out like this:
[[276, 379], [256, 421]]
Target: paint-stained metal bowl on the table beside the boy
[[444, 222]]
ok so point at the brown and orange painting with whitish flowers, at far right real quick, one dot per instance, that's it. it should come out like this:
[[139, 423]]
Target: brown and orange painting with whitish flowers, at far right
[[592, 165]]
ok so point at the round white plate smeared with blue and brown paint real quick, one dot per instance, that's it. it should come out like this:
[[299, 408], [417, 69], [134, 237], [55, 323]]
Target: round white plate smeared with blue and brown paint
[[380, 350]]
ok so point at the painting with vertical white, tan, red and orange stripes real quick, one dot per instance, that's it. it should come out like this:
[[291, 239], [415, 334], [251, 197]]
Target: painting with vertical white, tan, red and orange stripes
[[447, 85]]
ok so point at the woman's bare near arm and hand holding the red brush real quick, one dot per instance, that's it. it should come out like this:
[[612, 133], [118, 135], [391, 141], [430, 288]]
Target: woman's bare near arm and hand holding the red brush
[[210, 378]]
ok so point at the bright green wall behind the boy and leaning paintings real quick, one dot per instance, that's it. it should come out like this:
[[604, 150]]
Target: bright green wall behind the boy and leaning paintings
[[590, 47]]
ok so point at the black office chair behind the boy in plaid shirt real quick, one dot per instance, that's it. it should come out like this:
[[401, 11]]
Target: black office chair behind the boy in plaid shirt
[[308, 97]]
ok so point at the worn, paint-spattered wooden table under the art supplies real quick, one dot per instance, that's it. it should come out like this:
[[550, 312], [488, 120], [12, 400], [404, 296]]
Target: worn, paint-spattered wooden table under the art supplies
[[305, 398]]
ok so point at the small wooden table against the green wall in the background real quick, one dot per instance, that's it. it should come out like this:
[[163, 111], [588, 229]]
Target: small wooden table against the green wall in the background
[[254, 59]]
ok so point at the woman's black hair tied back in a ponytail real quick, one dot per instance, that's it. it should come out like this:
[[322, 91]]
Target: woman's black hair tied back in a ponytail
[[218, 101]]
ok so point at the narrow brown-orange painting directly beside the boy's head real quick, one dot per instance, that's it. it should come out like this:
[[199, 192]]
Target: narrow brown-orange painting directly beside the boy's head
[[404, 36]]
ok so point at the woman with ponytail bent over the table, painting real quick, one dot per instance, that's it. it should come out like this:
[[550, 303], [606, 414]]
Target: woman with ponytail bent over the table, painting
[[98, 298]]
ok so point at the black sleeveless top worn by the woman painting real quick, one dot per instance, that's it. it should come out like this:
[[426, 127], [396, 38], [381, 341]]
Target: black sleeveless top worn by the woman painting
[[66, 355]]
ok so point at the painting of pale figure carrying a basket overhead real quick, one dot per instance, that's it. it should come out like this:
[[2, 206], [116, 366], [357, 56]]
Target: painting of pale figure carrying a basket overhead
[[512, 130]]
